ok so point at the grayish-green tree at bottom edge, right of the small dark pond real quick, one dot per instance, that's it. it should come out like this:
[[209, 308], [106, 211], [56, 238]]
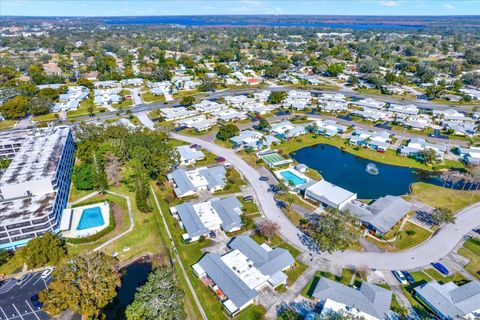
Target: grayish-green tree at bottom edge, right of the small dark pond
[[159, 298]]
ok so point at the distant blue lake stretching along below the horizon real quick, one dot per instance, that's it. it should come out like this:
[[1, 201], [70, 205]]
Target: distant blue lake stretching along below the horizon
[[248, 21]]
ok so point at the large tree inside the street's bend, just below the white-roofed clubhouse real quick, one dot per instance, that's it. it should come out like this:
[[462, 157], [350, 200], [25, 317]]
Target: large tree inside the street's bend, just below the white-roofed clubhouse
[[332, 231]]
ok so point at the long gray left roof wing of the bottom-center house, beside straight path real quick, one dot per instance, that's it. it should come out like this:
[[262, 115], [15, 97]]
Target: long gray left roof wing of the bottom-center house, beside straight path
[[233, 287]]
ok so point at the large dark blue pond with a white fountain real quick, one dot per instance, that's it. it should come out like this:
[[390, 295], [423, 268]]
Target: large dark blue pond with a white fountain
[[357, 175]]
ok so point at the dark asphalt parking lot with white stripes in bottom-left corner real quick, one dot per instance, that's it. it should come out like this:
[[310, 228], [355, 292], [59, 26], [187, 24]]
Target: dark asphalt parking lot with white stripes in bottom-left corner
[[15, 300]]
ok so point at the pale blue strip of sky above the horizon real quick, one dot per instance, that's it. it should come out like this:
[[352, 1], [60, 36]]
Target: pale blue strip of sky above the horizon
[[206, 7]]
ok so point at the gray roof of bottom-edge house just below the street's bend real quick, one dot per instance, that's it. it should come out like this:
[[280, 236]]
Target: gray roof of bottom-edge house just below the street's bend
[[370, 298]]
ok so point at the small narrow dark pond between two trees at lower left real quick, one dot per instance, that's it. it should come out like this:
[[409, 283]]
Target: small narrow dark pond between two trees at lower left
[[133, 276]]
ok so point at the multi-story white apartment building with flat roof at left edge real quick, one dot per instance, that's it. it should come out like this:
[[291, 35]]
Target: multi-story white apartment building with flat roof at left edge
[[34, 189]]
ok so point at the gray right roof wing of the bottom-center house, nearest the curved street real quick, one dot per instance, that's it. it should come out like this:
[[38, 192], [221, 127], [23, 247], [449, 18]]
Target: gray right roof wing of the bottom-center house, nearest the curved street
[[268, 262]]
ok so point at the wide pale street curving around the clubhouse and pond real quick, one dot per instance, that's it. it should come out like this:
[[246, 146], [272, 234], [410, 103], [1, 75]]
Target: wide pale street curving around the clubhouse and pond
[[438, 246]]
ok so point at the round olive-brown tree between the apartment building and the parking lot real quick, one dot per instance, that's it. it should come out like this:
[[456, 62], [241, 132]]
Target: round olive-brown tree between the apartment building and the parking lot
[[46, 250]]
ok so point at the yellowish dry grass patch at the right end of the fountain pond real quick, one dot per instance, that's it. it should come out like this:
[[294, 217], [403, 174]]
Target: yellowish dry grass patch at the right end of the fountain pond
[[436, 196]]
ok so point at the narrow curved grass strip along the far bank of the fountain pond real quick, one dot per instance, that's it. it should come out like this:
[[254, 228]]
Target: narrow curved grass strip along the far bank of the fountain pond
[[388, 157]]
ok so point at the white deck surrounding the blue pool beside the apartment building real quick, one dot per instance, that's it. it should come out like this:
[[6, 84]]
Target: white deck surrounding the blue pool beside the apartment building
[[76, 214]]
